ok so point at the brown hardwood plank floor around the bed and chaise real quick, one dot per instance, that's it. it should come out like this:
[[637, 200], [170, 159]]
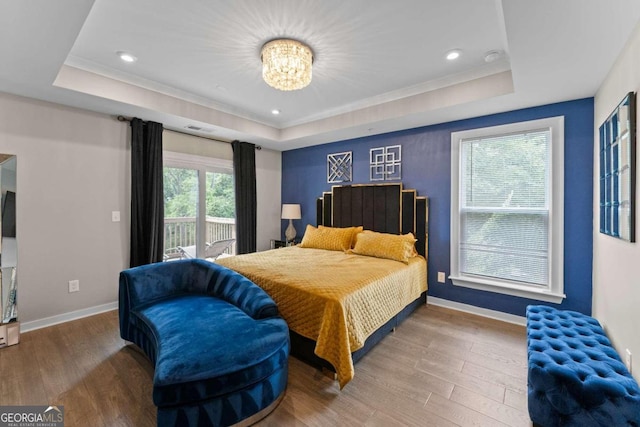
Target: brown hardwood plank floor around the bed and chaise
[[440, 368]]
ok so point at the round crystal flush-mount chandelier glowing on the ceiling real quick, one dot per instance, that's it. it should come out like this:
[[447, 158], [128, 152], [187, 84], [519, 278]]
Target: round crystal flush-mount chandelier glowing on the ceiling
[[286, 64]]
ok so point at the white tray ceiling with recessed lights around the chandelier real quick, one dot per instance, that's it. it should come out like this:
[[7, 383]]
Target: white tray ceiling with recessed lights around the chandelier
[[379, 66]]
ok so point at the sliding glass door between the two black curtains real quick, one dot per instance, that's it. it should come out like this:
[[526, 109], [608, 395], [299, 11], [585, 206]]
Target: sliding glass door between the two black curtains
[[199, 205]]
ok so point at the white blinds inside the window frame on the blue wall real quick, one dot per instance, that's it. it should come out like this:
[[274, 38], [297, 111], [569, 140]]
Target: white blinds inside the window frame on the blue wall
[[505, 193]]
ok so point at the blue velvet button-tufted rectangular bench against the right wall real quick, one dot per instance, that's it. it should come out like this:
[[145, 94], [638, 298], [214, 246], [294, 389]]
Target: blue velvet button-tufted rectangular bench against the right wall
[[575, 376]]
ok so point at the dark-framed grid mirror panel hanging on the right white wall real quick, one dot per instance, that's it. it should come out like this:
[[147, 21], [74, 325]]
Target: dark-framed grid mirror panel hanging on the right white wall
[[618, 170]]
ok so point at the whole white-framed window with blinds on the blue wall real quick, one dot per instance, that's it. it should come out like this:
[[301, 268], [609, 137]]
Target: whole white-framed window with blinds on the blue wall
[[507, 209]]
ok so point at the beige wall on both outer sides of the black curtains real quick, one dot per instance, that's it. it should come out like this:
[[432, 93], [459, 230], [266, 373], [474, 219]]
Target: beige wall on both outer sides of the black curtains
[[73, 170]]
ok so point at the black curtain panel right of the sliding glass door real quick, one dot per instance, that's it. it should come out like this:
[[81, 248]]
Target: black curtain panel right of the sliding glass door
[[244, 171]]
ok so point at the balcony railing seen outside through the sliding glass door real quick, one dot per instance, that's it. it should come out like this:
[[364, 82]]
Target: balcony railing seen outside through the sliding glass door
[[182, 232]]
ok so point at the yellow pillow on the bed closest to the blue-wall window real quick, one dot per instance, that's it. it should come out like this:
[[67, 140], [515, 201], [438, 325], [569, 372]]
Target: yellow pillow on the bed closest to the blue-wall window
[[385, 245]]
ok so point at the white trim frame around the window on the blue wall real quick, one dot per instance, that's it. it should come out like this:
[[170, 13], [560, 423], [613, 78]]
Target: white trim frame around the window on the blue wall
[[554, 292]]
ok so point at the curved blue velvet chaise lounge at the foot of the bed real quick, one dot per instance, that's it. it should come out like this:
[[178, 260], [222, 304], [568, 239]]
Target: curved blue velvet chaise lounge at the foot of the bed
[[219, 347]]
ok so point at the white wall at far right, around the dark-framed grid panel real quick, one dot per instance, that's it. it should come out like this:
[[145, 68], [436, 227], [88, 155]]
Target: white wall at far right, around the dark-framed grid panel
[[616, 264]]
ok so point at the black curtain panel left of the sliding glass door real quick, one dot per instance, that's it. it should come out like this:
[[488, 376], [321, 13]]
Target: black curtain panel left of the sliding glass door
[[147, 200]]
